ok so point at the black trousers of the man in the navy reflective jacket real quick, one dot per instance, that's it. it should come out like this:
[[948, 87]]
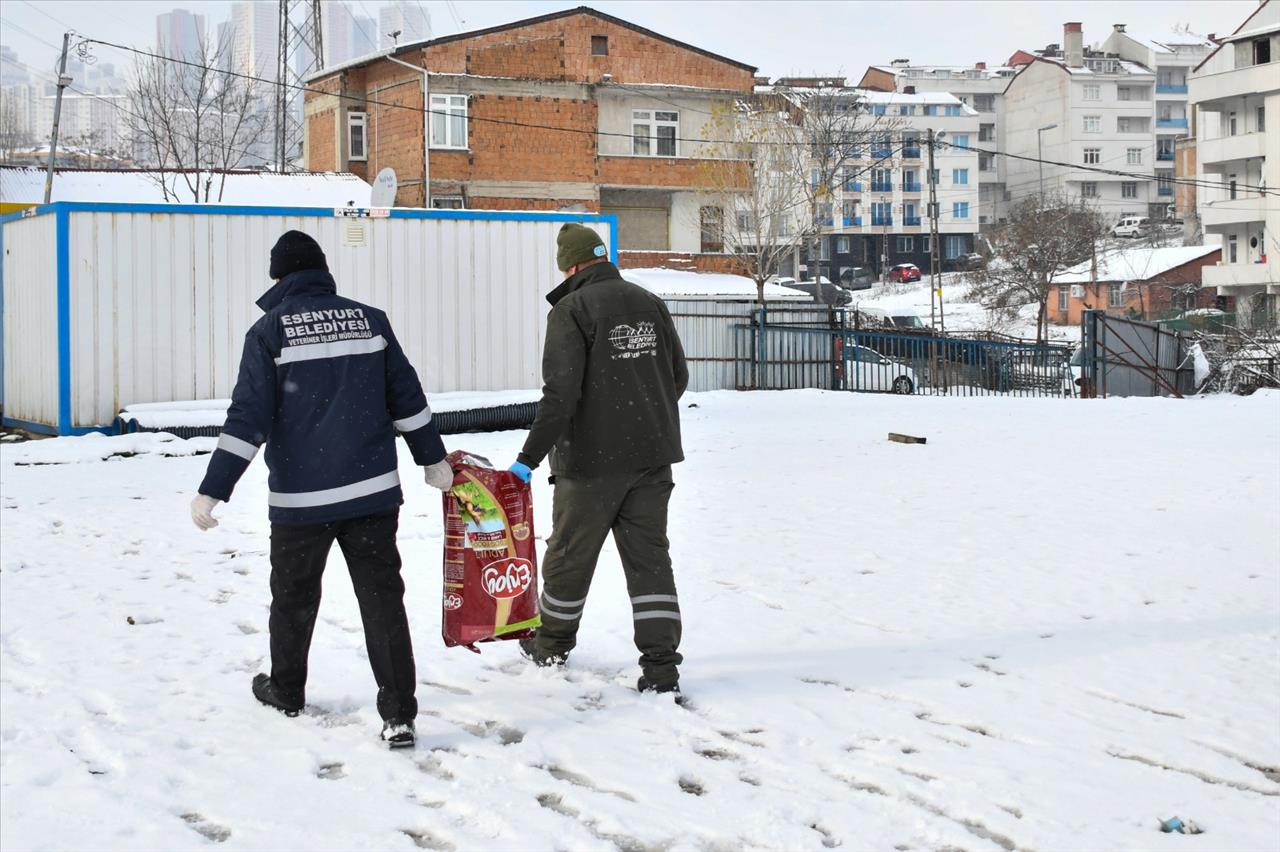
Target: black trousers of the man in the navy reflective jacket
[[299, 556]]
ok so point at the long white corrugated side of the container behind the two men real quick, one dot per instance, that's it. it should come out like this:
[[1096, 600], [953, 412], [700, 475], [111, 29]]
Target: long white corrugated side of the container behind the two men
[[161, 303]]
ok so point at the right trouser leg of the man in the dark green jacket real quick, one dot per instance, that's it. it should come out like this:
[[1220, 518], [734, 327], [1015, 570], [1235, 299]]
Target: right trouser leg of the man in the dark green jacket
[[641, 533]]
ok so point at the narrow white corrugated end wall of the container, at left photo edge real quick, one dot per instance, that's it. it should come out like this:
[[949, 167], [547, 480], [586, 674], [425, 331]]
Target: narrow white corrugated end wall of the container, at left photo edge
[[31, 320]]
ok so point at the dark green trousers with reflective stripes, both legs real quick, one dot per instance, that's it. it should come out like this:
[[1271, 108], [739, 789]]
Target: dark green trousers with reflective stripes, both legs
[[634, 509]]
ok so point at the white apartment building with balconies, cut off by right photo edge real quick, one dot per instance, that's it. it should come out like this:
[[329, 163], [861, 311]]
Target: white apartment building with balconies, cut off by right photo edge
[[1237, 95]]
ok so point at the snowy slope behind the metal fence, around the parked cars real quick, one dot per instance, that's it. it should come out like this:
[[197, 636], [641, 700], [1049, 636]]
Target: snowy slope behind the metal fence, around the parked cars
[[962, 317]]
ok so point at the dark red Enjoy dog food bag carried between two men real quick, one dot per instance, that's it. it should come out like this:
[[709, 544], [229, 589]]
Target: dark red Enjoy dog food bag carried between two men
[[491, 565]]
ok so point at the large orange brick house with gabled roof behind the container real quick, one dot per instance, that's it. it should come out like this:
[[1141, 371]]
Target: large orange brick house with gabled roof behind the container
[[570, 111]]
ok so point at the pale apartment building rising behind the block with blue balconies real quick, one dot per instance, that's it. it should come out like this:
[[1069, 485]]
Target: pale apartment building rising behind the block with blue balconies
[[980, 88]]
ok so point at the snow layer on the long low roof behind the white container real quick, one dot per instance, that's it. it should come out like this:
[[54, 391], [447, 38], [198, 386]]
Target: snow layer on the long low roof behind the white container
[[26, 185]]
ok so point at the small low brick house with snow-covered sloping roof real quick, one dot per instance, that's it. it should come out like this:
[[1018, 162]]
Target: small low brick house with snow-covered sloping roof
[[1148, 283]]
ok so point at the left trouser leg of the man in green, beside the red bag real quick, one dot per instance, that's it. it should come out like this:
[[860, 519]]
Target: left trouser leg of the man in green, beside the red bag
[[583, 512]]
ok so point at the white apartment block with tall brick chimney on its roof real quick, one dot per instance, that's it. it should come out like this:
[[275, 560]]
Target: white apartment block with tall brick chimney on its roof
[[1094, 114]]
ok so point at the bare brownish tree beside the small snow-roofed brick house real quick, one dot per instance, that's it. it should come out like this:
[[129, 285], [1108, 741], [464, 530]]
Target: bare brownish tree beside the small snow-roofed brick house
[[1045, 237]]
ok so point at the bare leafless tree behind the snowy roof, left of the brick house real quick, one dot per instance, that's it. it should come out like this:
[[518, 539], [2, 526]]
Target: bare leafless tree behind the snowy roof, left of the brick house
[[195, 123]]
